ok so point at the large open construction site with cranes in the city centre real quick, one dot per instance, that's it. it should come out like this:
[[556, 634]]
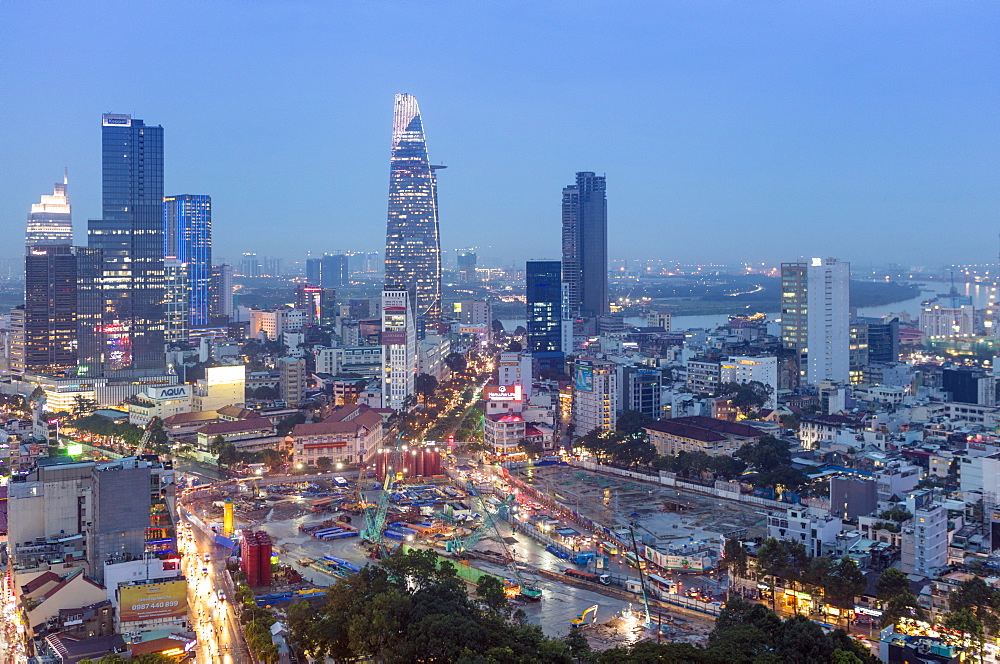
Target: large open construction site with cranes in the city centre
[[326, 529]]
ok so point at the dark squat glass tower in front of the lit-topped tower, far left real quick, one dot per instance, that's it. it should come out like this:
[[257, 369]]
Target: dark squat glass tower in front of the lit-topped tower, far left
[[44, 331]]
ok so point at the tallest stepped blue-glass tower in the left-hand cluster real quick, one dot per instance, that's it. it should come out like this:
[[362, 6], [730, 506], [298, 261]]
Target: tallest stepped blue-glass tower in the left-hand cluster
[[121, 317]]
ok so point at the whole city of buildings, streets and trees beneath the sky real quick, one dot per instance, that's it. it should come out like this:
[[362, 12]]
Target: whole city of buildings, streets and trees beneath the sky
[[200, 456]]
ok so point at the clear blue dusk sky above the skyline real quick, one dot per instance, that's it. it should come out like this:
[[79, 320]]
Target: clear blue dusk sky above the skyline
[[728, 131]]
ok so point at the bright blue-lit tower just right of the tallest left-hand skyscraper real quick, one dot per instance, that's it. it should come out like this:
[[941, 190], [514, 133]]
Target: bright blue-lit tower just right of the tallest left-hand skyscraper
[[187, 236]]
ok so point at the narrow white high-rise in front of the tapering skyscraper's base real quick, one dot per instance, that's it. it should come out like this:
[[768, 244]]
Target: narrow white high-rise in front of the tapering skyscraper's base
[[399, 348]]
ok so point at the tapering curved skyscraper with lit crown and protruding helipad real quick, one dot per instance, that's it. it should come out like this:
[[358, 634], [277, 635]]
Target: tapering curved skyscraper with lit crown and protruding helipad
[[412, 241]]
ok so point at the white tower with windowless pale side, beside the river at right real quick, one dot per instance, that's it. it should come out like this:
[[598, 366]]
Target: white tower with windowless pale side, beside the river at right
[[815, 319]]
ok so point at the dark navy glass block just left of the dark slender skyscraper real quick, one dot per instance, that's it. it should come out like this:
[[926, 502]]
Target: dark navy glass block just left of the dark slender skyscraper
[[543, 281]]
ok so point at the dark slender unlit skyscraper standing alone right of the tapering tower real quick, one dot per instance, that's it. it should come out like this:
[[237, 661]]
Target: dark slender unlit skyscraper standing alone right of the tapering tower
[[585, 245]]
